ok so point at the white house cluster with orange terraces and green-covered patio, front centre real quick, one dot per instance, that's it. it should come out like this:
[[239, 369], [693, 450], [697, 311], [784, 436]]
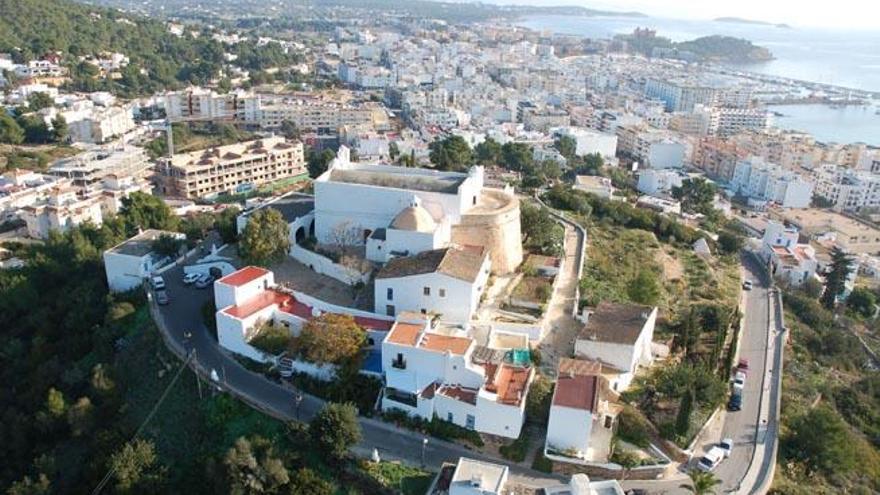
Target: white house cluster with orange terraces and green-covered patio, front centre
[[433, 371]]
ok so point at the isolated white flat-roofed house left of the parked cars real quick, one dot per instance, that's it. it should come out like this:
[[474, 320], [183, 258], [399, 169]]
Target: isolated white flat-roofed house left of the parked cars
[[132, 261]]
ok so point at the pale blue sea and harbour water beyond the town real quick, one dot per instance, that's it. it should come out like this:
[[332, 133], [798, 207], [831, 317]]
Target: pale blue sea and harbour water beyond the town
[[843, 58]]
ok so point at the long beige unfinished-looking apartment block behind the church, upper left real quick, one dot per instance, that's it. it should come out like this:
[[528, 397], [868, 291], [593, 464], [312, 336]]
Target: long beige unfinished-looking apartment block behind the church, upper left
[[233, 168]]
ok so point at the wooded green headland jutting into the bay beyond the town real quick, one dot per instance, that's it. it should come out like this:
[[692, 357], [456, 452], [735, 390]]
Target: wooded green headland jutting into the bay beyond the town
[[715, 48]]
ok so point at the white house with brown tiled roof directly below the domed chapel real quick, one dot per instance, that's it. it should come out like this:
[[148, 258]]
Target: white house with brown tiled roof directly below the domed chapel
[[447, 282]]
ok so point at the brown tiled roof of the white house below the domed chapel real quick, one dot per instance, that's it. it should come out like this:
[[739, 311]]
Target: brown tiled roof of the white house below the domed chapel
[[463, 264]]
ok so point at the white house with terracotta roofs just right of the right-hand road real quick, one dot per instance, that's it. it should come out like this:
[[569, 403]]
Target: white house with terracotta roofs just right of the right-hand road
[[789, 260]]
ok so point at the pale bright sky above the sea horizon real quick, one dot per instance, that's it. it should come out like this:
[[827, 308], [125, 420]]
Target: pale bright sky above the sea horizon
[[851, 14]]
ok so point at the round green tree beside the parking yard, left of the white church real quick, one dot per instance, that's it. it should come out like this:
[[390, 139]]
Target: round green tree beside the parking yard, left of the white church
[[265, 239]]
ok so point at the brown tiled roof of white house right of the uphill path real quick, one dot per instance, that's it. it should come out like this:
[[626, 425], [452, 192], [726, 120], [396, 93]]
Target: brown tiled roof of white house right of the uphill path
[[616, 323]]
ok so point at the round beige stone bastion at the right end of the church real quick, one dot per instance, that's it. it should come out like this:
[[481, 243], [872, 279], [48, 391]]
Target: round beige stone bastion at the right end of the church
[[493, 224]]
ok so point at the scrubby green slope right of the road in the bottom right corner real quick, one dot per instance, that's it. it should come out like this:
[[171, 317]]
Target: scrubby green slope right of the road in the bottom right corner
[[828, 389]]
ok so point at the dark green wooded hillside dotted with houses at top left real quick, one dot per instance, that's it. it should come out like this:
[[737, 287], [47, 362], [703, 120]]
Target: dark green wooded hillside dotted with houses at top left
[[159, 59]]
